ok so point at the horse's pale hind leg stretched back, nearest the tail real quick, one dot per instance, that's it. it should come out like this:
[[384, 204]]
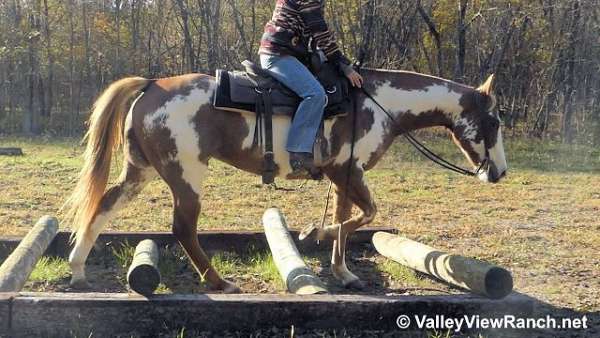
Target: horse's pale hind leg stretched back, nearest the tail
[[130, 183]]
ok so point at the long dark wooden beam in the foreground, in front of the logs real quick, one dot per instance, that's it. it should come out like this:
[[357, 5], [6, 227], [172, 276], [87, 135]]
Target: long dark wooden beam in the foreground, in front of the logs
[[106, 315]]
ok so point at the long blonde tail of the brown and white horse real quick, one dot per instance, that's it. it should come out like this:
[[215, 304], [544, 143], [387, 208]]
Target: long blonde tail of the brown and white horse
[[104, 136]]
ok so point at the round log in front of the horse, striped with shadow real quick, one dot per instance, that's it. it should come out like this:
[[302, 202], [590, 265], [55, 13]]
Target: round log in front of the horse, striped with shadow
[[471, 274]]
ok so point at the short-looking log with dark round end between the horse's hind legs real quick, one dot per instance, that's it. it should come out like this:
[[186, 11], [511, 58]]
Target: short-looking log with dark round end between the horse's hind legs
[[143, 275]]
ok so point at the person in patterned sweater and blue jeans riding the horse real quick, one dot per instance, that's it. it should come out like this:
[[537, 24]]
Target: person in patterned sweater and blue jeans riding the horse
[[283, 43]]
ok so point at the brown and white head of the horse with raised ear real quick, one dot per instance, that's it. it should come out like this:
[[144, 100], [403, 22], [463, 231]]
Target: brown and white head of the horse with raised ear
[[477, 132]]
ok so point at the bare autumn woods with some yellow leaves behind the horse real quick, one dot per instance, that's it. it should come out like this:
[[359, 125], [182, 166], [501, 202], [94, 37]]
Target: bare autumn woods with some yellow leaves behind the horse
[[56, 55]]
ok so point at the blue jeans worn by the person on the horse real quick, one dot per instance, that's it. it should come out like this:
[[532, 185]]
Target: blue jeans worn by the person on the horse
[[294, 75]]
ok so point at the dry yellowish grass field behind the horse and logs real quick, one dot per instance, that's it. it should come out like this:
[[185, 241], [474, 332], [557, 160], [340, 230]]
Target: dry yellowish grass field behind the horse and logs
[[541, 222]]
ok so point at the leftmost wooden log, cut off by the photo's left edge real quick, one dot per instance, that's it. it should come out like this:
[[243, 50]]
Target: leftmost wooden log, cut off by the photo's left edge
[[18, 266]]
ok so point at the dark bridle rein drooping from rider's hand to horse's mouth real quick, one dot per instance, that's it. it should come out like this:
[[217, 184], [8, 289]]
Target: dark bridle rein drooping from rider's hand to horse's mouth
[[428, 153]]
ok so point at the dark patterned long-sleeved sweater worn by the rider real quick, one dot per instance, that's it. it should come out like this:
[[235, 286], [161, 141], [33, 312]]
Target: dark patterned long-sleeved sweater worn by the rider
[[292, 24]]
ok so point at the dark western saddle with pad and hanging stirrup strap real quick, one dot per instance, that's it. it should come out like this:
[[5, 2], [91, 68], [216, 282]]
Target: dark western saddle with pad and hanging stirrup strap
[[256, 90]]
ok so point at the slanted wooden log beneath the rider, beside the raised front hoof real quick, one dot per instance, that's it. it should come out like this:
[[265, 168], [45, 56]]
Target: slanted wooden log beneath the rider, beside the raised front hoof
[[298, 277]]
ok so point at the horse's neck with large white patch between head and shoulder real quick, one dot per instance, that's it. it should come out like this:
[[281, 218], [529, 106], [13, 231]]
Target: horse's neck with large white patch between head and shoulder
[[415, 101]]
